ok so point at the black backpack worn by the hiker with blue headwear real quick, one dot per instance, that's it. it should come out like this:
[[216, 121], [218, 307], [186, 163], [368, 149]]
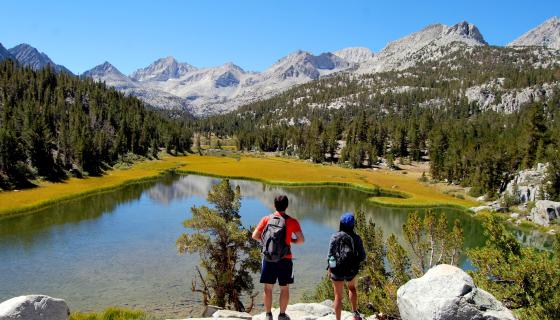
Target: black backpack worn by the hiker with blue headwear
[[344, 253]]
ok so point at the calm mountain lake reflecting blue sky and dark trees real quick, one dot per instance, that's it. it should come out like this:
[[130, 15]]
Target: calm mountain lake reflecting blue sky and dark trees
[[118, 248]]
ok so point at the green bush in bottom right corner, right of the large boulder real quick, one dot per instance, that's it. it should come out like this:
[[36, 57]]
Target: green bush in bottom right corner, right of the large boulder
[[525, 279]]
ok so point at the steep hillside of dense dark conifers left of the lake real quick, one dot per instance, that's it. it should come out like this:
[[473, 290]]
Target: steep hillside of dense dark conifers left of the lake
[[55, 125]]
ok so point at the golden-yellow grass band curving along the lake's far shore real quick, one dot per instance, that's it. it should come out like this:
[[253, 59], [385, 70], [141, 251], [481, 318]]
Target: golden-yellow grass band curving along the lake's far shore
[[387, 189]]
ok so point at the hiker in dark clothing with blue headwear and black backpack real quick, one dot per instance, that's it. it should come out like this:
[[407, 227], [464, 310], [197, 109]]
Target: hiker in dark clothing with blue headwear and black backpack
[[346, 252]]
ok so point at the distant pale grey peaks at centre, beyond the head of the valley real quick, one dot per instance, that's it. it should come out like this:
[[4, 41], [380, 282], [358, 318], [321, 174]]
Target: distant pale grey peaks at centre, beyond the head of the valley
[[221, 88]]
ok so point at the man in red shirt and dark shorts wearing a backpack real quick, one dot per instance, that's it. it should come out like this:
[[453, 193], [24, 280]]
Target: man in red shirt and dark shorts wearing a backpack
[[277, 232]]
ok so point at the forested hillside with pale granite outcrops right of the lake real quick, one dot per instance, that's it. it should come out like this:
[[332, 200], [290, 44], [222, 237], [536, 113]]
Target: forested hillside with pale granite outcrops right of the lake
[[477, 113]]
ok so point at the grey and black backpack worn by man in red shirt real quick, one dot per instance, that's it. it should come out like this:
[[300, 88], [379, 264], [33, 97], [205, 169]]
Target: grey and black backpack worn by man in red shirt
[[274, 239]]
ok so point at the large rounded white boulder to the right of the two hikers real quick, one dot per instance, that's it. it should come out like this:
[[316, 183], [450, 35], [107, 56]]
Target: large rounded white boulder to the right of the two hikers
[[446, 292]]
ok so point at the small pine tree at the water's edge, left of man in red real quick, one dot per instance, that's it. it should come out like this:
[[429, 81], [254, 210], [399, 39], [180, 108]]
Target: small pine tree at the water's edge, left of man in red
[[227, 252]]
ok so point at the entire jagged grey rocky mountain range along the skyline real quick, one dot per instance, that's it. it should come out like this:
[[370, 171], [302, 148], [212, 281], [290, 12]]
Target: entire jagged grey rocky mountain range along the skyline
[[169, 84]]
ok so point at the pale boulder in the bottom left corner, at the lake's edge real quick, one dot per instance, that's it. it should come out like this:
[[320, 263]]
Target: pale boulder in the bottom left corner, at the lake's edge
[[34, 307]]
